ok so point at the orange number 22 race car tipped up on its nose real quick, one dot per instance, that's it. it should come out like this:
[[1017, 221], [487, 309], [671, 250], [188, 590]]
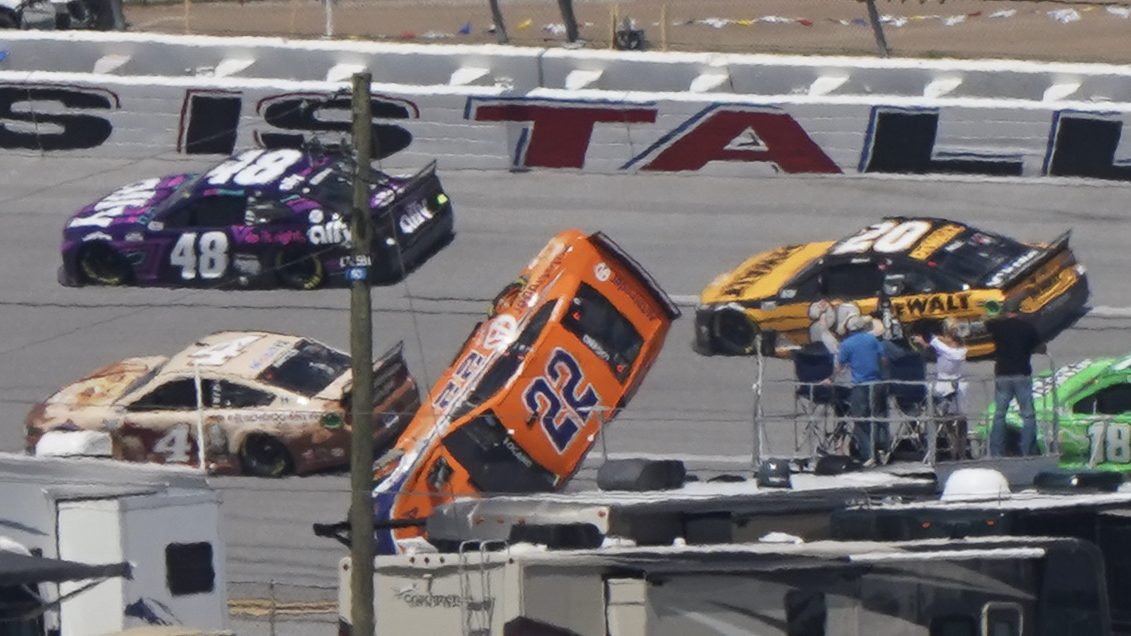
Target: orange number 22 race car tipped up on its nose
[[564, 351]]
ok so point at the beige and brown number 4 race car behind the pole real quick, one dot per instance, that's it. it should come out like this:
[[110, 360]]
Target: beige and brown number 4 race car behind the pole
[[267, 405]]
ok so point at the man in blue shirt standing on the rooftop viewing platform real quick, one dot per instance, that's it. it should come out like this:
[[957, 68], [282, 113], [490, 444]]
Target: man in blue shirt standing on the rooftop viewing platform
[[864, 354]]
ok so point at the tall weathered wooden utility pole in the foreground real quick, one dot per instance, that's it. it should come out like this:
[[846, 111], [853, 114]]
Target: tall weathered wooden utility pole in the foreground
[[361, 351]]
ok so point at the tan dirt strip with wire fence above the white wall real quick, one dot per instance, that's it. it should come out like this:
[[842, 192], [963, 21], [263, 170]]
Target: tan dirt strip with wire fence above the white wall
[[1066, 31]]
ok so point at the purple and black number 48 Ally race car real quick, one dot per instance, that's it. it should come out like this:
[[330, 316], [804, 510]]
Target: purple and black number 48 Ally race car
[[263, 219]]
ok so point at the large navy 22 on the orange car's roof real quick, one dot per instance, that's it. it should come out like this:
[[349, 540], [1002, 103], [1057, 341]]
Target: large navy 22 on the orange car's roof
[[564, 405]]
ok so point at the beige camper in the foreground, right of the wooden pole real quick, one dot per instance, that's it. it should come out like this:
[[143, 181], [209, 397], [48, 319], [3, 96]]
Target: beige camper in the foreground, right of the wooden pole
[[1014, 587]]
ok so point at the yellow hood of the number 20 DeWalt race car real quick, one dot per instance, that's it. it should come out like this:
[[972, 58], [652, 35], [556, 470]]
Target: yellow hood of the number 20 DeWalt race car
[[763, 276]]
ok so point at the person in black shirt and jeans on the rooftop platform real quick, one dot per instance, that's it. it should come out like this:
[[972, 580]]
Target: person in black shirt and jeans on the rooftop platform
[[1015, 341]]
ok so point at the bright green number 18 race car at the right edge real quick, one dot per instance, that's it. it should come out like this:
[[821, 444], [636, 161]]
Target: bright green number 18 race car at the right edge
[[1093, 402]]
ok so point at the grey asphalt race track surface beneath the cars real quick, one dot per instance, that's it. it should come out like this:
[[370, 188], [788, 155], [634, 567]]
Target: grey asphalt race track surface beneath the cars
[[684, 229]]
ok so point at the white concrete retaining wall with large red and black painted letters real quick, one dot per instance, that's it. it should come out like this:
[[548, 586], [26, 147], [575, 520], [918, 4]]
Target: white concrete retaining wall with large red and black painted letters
[[139, 96]]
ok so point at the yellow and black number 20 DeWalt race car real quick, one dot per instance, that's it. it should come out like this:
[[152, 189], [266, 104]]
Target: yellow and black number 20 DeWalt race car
[[928, 269]]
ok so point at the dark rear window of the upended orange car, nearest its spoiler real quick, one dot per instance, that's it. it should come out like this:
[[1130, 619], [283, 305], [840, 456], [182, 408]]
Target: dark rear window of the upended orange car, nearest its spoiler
[[605, 331]]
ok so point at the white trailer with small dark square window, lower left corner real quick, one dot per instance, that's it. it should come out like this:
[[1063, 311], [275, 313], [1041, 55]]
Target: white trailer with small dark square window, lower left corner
[[156, 528]]
